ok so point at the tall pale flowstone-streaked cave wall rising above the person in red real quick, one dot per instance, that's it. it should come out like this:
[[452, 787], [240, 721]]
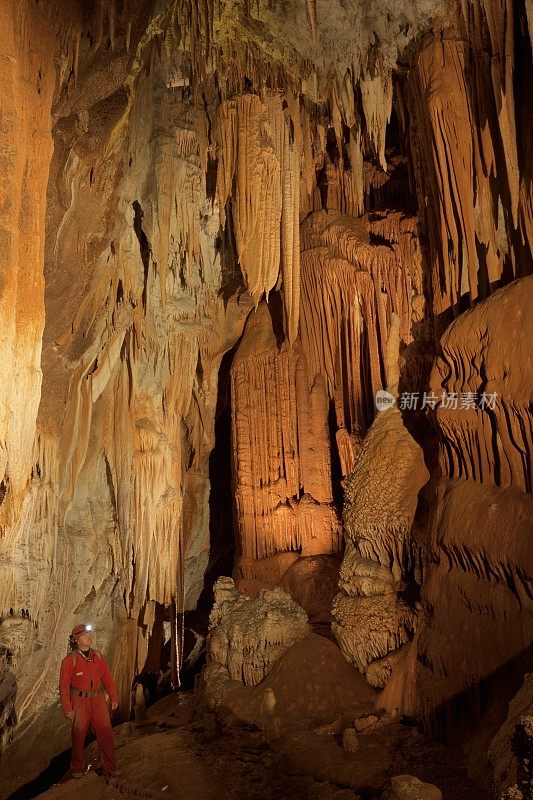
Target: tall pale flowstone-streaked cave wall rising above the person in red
[[136, 326]]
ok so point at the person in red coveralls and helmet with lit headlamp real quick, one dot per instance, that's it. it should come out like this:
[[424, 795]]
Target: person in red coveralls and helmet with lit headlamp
[[83, 671]]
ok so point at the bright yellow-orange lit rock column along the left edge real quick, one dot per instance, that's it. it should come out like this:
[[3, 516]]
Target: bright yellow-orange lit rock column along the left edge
[[25, 151]]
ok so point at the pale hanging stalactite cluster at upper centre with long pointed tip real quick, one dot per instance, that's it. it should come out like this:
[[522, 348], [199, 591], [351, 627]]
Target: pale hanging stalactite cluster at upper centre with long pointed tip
[[260, 147]]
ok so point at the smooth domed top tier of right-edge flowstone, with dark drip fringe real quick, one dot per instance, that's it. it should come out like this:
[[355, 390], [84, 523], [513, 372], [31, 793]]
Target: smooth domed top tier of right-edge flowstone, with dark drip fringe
[[488, 441]]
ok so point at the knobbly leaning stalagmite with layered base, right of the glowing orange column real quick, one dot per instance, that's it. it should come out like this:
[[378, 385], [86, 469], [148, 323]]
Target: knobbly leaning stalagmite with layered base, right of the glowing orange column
[[370, 620]]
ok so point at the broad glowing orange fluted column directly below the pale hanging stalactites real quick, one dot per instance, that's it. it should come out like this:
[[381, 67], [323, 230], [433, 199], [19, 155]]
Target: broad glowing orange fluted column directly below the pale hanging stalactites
[[282, 468]]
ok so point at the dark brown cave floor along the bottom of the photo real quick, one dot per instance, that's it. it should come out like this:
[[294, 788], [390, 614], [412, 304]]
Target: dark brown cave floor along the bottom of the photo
[[175, 754]]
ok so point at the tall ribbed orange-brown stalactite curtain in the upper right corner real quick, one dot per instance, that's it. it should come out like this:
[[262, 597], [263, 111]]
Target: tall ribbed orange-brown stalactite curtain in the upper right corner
[[474, 182]]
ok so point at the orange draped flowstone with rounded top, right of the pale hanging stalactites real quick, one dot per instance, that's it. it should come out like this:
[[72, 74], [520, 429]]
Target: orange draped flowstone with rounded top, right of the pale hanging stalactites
[[345, 340]]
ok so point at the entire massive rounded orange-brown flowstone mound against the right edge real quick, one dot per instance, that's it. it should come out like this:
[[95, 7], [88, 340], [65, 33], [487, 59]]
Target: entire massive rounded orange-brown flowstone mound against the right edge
[[478, 539]]
